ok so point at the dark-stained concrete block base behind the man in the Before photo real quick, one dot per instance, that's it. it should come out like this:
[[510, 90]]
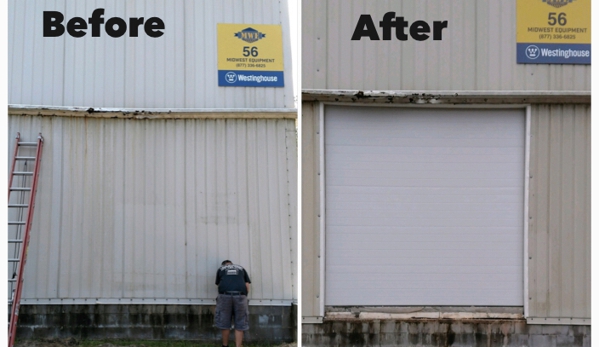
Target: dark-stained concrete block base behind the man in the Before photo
[[273, 324]]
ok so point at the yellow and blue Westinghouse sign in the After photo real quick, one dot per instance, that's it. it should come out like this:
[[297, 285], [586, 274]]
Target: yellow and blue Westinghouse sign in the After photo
[[554, 31]]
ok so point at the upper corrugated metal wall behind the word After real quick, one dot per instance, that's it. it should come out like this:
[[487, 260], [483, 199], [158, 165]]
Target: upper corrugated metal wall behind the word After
[[477, 52]]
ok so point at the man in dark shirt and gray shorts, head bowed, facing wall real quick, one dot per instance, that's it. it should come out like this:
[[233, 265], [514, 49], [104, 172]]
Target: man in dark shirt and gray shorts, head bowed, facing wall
[[233, 287]]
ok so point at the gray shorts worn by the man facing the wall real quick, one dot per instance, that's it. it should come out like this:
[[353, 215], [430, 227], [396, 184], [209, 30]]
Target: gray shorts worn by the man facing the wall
[[231, 306]]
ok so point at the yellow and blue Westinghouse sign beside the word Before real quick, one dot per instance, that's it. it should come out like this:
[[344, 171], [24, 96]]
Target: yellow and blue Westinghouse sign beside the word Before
[[250, 55]]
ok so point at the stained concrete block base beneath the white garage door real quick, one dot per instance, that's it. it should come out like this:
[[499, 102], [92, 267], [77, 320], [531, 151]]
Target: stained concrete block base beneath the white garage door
[[443, 332]]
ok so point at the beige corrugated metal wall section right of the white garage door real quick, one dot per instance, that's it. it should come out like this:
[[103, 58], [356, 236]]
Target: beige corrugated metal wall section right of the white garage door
[[559, 234]]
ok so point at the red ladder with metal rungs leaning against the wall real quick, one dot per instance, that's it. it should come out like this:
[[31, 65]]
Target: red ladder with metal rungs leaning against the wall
[[21, 200]]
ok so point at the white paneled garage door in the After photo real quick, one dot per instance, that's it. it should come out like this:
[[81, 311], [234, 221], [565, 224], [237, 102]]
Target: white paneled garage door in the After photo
[[424, 206]]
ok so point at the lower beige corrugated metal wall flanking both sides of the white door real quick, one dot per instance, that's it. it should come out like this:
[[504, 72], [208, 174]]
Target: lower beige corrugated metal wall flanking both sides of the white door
[[559, 210]]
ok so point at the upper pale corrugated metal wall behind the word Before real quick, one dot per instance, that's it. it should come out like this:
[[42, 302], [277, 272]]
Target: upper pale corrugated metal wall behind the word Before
[[177, 70]]
